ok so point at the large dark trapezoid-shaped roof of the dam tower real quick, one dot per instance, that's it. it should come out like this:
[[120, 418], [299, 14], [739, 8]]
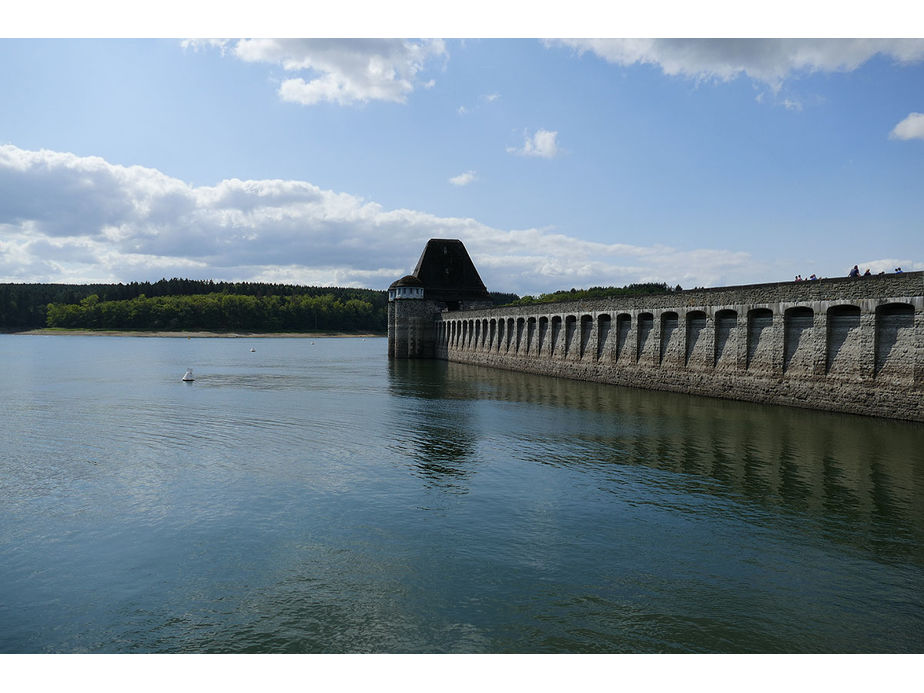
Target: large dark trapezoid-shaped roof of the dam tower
[[448, 273]]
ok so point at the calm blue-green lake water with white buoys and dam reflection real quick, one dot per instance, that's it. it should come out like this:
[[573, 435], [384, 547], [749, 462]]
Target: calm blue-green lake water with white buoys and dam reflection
[[311, 496]]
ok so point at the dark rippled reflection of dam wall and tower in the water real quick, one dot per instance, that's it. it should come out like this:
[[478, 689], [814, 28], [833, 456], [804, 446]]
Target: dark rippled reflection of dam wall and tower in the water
[[866, 476]]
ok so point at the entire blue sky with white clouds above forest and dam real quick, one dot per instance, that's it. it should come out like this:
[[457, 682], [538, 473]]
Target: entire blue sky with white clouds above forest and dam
[[559, 163]]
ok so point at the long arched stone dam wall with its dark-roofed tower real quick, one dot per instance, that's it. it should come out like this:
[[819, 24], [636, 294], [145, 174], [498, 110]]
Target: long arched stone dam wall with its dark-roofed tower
[[846, 345]]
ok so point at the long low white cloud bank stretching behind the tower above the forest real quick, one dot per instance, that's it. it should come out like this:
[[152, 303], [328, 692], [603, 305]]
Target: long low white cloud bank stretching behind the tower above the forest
[[65, 218]]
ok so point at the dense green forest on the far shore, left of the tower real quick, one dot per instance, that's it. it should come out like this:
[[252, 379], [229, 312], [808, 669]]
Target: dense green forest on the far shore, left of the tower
[[188, 304]]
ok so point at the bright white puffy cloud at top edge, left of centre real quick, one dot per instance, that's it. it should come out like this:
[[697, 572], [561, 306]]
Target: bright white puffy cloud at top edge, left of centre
[[341, 71]]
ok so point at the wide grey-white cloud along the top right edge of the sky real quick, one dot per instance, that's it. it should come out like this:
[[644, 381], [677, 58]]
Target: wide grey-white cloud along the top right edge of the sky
[[770, 61]]
